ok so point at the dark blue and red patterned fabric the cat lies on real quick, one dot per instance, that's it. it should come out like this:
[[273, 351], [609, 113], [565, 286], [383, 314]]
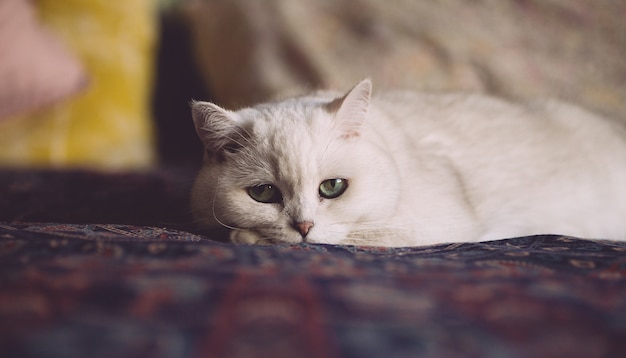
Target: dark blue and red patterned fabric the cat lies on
[[103, 290]]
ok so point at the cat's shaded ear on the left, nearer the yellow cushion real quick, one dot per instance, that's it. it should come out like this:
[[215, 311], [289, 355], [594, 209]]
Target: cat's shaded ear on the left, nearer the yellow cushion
[[216, 127]]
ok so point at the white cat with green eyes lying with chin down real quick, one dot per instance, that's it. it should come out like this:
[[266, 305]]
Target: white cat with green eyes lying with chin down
[[405, 169]]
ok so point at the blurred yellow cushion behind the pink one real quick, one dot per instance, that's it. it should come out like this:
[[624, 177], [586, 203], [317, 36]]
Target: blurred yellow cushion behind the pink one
[[108, 126]]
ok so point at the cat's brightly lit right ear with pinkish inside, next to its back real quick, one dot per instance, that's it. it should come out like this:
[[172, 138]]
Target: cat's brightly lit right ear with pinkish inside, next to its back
[[351, 109]]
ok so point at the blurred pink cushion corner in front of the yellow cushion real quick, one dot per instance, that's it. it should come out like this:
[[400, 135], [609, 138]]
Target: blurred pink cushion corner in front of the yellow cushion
[[35, 69]]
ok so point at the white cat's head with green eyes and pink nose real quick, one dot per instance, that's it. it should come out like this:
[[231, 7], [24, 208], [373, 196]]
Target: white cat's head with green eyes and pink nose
[[302, 169]]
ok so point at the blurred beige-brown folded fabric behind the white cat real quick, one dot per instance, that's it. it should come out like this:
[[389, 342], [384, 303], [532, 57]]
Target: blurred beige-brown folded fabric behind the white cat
[[574, 50]]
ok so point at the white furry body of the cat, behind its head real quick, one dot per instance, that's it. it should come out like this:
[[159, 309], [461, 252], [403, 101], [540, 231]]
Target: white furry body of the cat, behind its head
[[570, 164]]
